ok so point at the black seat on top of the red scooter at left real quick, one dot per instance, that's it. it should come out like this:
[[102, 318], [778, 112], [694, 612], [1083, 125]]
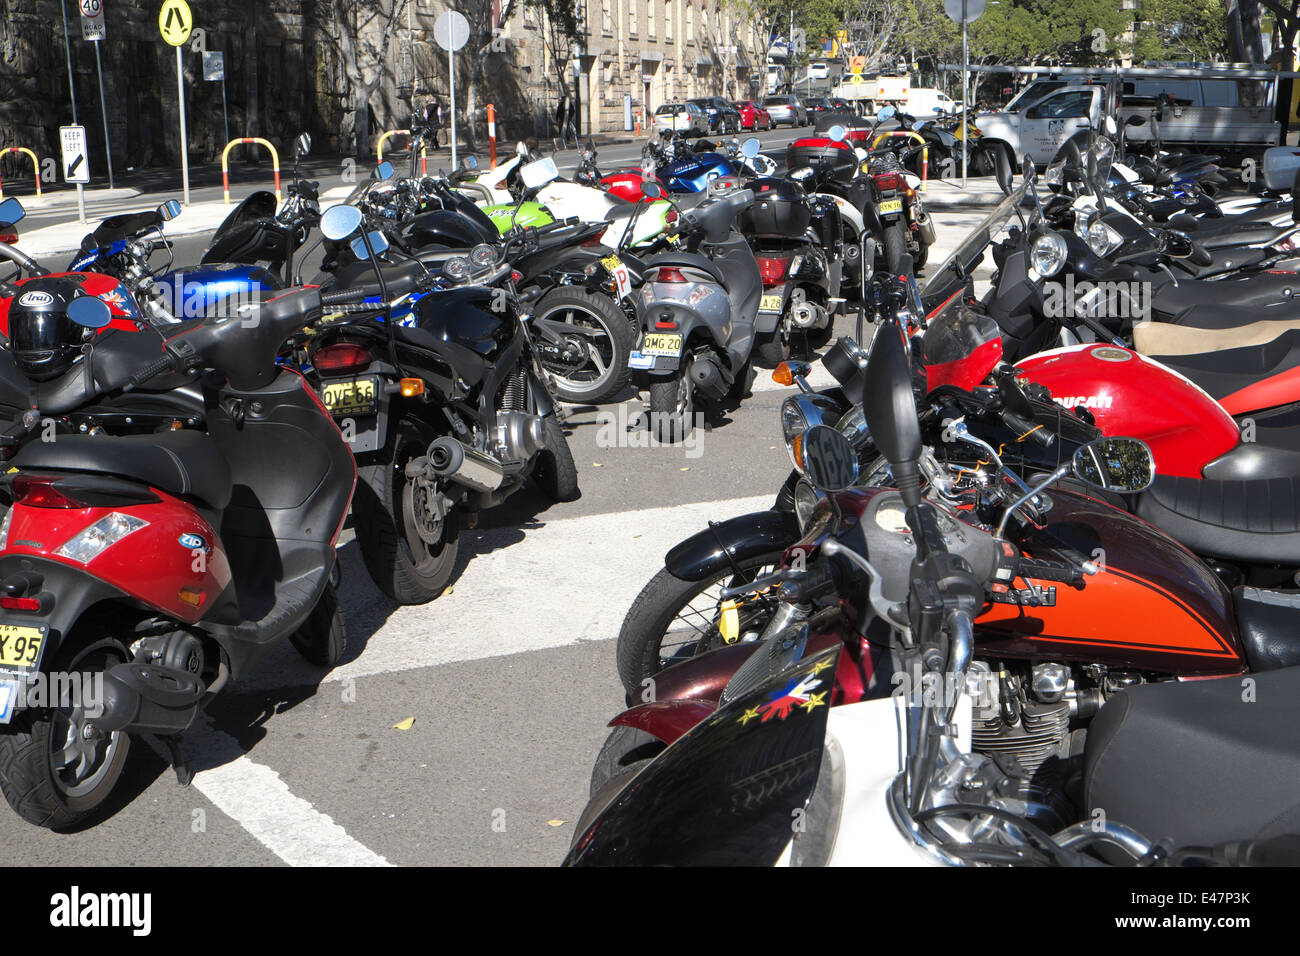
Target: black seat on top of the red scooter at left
[[185, 464]]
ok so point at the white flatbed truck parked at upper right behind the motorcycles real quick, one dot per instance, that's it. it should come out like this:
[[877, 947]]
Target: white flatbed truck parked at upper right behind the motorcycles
[[1204, 114]]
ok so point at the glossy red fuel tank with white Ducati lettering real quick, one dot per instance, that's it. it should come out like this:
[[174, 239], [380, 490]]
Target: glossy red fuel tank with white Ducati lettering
[[1137, 397]]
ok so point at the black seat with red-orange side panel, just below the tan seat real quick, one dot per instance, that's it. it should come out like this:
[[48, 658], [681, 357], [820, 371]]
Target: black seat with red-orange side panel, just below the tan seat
[[1246, 379]]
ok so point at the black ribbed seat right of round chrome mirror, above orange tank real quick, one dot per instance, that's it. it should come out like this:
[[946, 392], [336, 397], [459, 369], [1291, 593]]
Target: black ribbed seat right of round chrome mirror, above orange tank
[[1256, 522]]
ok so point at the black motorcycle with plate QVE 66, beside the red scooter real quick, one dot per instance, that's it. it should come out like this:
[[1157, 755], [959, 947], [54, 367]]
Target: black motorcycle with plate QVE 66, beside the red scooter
[[448, 416]]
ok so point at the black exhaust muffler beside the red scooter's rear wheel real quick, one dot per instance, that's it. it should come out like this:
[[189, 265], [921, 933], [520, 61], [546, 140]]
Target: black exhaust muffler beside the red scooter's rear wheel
[[149, 699]]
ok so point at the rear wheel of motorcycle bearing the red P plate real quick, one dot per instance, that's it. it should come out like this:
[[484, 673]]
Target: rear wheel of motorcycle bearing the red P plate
[[578, 308]]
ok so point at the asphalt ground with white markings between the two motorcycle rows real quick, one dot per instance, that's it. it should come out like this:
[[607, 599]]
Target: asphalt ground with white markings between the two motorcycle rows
[[510, 677]]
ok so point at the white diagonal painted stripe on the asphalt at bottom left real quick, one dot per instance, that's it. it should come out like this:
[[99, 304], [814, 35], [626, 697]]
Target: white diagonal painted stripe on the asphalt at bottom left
[[255, 798]]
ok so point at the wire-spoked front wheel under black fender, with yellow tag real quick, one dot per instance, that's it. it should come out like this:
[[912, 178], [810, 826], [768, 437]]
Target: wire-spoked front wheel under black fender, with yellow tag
[[640, 651]]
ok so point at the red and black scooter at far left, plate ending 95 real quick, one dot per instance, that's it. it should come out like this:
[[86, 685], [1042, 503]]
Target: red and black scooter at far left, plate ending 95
[[140, 574]]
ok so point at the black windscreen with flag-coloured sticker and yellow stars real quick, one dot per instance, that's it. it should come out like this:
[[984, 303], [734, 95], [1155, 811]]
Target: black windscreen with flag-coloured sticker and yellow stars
[[723, 794]]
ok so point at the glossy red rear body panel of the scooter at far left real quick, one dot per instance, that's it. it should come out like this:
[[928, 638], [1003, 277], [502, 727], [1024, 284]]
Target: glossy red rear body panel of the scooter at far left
[[188, 566]]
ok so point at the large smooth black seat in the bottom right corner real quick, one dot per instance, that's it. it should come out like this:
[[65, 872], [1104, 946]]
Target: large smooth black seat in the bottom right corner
[[1199, 763]]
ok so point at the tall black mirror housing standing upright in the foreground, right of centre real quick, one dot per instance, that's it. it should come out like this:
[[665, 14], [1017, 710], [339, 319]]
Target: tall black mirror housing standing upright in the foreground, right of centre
[[891, 409]]
